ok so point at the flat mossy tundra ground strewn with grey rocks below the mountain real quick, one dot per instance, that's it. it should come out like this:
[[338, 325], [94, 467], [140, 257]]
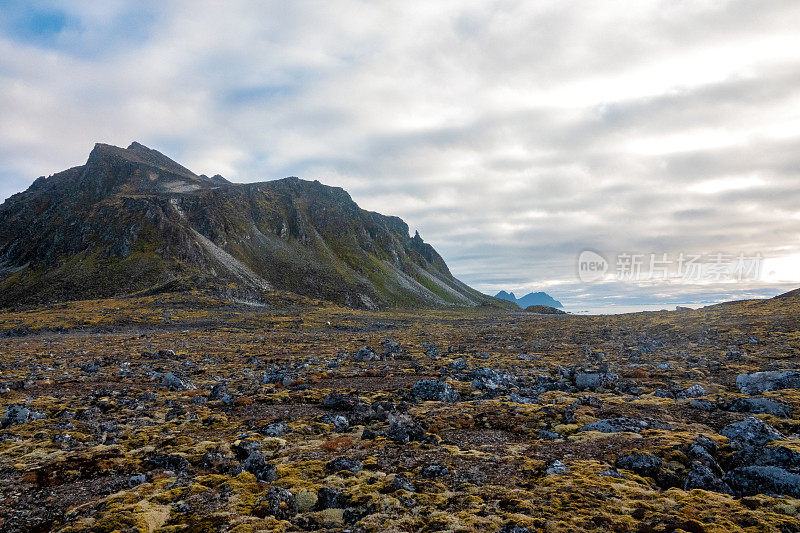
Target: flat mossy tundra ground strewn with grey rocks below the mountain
[[190, 412]]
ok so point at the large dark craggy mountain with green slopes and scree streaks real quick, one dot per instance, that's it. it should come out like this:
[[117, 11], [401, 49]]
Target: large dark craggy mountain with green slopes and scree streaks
[[132, 220]]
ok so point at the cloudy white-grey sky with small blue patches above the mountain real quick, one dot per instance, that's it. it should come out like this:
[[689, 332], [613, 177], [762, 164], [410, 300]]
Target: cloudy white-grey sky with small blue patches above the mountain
[[512, 134]]
